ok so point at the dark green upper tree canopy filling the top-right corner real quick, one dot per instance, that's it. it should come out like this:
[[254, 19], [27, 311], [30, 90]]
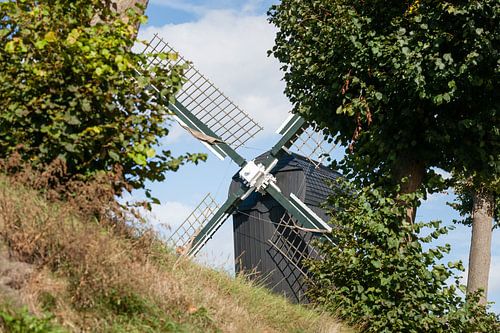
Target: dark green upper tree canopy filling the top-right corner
[[396, 80]]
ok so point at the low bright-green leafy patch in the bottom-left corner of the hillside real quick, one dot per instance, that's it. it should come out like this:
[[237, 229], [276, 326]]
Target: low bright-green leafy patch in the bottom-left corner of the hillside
[[21, 321]]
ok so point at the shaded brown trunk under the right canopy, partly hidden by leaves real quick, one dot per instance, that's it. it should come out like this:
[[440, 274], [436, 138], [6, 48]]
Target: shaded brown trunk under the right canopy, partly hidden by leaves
[[414, 172]]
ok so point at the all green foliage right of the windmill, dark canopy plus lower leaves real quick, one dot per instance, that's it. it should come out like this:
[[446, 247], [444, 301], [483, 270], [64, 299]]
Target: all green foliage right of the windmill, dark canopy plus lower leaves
[[406, 86]]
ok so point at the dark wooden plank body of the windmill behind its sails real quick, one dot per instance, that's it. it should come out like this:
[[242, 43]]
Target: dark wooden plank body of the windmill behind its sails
[[257, 219]]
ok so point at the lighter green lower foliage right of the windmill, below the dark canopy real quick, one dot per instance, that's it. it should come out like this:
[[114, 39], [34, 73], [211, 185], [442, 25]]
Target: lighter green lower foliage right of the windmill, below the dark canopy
[[380, 273]]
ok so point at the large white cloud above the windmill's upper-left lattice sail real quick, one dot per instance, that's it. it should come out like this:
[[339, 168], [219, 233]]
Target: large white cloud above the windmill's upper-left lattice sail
[[231, 49]]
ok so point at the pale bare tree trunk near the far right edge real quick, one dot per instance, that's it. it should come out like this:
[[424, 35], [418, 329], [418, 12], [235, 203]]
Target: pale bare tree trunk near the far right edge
[[480, 248]]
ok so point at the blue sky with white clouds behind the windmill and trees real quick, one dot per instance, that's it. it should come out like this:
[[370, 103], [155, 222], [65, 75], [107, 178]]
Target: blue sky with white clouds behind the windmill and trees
[[228, 40]]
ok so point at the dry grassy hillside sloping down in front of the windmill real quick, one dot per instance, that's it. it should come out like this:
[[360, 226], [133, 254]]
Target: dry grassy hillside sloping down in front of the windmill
[[60, 271]]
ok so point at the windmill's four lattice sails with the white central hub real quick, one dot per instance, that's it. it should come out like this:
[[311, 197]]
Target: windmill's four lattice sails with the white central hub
[[206, 113]]
